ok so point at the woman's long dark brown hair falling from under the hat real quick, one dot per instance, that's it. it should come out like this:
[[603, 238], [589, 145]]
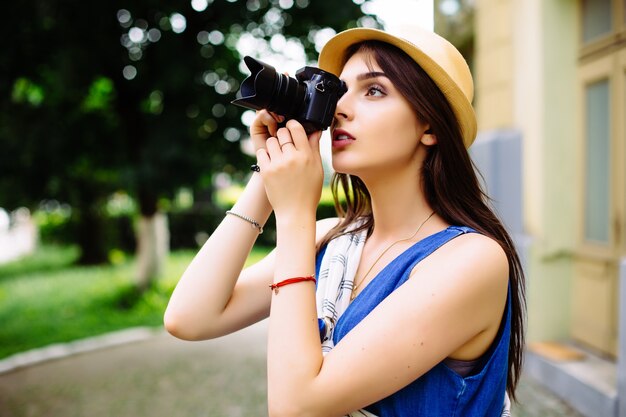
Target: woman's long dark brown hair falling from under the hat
[[449, 181]]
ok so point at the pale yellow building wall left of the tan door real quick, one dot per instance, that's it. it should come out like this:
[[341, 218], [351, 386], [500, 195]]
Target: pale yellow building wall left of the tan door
[[526, 80]]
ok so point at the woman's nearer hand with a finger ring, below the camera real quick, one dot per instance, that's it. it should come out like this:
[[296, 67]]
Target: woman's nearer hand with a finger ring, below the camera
[[291, 167]]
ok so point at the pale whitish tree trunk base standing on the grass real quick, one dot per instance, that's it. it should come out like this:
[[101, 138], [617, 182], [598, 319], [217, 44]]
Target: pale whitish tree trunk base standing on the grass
[[152, 248]]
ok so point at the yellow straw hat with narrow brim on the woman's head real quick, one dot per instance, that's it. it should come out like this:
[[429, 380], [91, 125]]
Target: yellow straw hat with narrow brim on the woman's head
[[438, 57]]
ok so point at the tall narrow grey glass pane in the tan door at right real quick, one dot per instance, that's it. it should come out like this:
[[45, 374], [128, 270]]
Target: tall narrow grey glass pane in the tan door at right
[[597, 160]]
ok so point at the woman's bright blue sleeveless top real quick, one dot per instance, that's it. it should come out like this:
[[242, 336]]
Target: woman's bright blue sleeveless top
[[440, 392]]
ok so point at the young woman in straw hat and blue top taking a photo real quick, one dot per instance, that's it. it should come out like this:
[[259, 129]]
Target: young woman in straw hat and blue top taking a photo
[[411, 302]]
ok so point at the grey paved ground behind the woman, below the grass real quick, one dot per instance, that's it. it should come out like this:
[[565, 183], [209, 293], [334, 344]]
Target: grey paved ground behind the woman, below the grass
[[163, 377]]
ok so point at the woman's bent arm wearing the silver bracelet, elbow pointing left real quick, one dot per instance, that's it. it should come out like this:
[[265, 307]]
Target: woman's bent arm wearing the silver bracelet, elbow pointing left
[[206, 303]]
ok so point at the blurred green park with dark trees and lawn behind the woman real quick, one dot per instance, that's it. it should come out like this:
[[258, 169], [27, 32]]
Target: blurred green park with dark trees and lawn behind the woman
[[120, 150]]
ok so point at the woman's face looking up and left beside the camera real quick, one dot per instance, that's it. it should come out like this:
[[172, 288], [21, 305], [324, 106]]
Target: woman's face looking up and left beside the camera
[[375, 130]]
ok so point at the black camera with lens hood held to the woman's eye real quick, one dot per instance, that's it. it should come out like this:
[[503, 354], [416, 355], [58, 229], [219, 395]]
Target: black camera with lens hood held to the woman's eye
[[311, 98]]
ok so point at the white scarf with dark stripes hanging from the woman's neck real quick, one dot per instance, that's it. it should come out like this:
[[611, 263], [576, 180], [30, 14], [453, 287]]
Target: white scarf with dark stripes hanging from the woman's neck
[[334, 289]]
